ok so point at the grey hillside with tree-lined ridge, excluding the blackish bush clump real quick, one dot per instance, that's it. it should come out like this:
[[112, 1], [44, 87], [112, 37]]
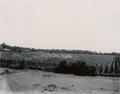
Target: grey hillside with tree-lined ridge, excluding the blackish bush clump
[[105, 64]]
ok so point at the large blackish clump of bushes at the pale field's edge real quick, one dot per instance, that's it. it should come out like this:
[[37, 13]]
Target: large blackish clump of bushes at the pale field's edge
[[78, 68]]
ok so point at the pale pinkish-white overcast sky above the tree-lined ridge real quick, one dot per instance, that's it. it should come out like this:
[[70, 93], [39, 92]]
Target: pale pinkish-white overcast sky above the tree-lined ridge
[[61, 24]]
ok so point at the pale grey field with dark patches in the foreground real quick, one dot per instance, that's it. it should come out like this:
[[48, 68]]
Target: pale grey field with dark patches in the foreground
[[39, 82]]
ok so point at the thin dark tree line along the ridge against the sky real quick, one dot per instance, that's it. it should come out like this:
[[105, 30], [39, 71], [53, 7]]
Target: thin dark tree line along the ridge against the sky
[[23, 49]]
